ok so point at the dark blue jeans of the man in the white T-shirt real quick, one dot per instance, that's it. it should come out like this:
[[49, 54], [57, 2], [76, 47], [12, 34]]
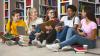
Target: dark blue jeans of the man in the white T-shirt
[[62, 34]]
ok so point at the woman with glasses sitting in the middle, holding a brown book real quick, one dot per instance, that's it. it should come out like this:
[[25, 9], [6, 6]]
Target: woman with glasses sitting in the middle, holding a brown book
[[52, 19]]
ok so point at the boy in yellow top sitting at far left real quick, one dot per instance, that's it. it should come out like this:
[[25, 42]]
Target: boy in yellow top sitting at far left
[[13, 23]]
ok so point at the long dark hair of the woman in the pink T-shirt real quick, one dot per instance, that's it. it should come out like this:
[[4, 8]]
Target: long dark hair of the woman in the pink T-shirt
[[89, 13]]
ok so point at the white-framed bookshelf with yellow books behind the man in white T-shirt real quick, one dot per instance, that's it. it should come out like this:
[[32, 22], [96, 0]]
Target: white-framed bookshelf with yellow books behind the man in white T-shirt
[[62, 5]]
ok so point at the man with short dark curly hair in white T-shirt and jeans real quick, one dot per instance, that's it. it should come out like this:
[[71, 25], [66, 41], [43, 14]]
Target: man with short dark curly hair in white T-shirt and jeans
[[71, 20]]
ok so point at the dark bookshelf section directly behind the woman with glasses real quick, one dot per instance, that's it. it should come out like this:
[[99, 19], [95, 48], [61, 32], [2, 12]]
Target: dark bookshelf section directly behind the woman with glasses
[[45, 4]]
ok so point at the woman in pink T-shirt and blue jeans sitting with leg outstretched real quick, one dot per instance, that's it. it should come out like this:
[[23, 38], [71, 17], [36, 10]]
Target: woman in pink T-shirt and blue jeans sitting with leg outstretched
[[86, 33]]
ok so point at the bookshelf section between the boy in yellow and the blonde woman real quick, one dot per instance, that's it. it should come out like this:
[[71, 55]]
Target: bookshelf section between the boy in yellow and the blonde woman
[[23, 6]]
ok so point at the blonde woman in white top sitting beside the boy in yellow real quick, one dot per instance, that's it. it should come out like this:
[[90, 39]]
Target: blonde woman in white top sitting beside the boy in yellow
[[33, 20]]
